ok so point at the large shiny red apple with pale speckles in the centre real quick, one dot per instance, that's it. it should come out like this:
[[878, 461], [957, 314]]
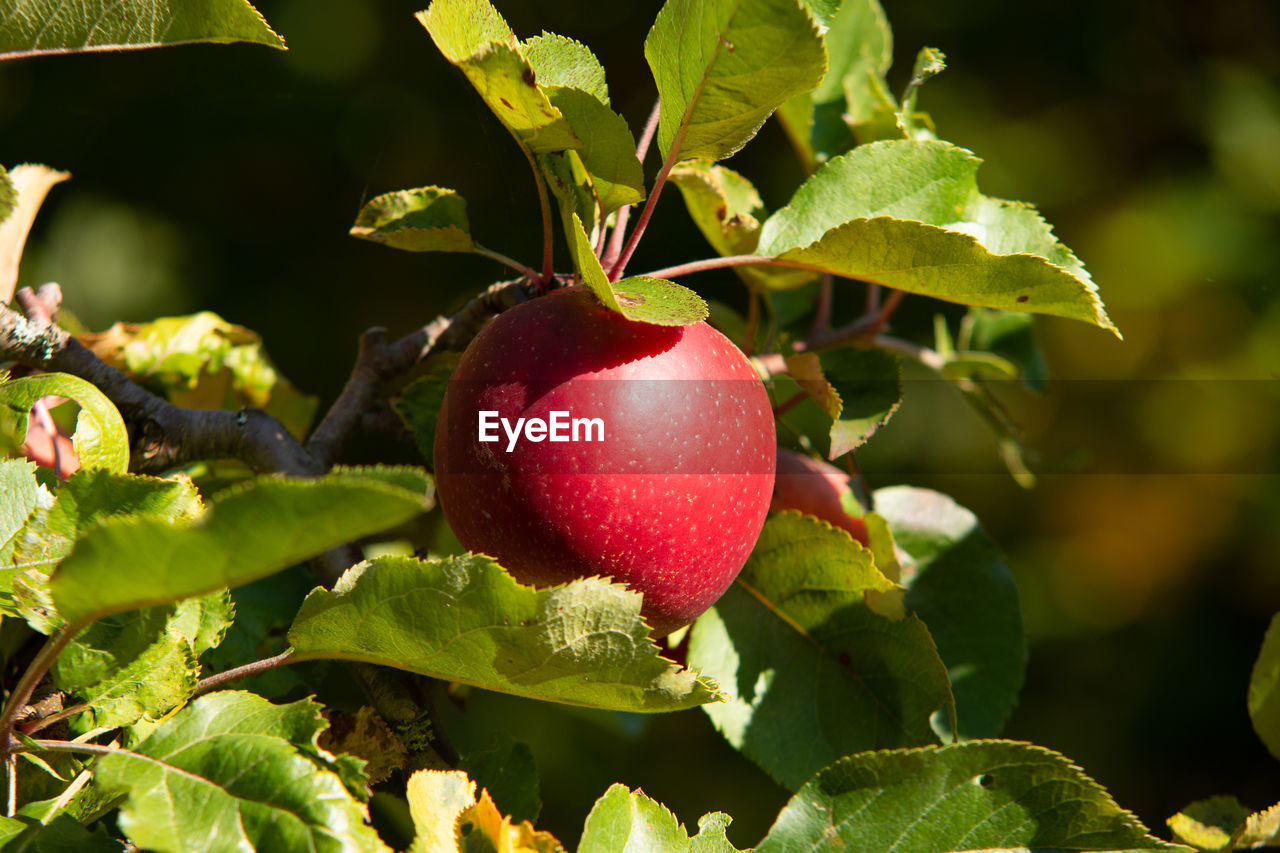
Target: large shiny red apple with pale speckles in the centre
[[670, 503]]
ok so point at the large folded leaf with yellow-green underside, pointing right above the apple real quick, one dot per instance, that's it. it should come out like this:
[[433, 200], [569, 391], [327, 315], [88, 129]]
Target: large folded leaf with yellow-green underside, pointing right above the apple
[[908, 215]]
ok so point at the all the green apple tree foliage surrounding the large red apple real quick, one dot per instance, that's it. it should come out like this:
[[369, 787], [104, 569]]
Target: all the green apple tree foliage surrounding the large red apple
[[871, 682]]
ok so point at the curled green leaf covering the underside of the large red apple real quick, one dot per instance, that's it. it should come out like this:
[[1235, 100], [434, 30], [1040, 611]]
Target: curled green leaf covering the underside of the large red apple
[[464, 619]]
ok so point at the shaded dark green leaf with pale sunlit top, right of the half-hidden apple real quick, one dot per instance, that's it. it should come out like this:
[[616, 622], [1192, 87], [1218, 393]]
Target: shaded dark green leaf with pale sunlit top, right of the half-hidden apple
[[966, 594]]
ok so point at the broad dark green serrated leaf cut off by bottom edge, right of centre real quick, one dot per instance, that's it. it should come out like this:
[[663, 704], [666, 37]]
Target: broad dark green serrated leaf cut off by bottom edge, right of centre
[[979, 796]]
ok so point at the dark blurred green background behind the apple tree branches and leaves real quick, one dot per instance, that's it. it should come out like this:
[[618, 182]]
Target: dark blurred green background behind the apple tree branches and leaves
[[226, 179]]
